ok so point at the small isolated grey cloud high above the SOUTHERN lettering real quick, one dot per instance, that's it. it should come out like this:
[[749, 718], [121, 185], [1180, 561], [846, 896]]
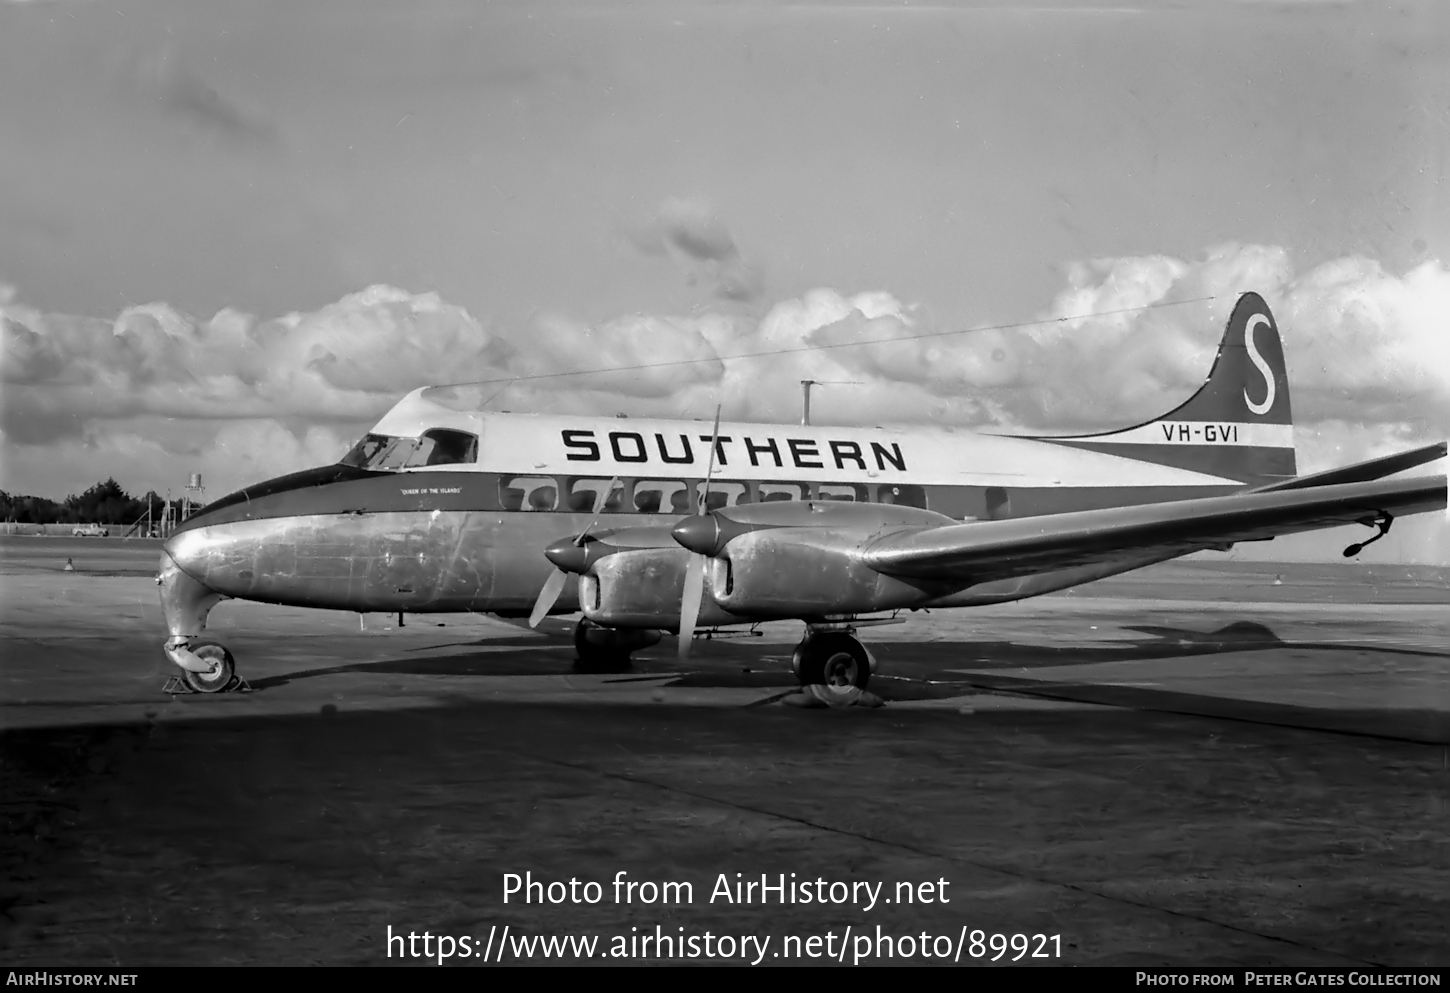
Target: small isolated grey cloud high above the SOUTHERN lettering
[[692, 233]]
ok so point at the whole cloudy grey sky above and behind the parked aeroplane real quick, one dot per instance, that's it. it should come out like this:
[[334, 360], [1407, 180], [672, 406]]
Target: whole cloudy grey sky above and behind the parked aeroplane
[[234, 234]]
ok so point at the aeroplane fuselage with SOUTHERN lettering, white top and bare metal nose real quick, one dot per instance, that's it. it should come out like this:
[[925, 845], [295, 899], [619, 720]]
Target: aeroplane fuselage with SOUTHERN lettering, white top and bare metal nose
[[449, 510]]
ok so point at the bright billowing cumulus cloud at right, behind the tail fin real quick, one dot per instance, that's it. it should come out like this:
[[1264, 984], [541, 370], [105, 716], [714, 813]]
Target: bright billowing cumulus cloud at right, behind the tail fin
[[1129, 338]]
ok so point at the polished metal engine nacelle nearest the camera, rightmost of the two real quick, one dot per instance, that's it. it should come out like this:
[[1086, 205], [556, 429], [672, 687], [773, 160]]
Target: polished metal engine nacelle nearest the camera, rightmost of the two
[[807, 572]]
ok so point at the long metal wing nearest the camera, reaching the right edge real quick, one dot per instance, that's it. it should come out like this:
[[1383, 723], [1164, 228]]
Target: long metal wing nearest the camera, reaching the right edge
[[994, 550]]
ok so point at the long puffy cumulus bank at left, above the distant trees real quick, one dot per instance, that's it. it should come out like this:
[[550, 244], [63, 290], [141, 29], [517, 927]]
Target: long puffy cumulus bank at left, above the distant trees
[[347, 362]]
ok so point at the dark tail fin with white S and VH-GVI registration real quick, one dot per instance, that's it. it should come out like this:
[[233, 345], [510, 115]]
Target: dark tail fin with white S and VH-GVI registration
[[1238, 425]]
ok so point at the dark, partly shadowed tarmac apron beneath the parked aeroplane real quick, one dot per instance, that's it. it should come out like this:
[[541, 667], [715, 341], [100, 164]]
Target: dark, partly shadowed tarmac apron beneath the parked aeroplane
[[1201, 763]]
